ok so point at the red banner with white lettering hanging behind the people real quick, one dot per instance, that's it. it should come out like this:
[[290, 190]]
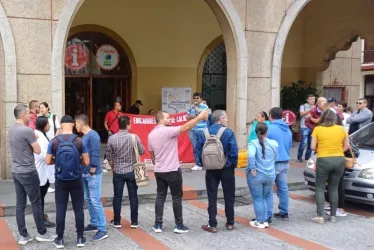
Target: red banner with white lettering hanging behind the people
[[142, 125]]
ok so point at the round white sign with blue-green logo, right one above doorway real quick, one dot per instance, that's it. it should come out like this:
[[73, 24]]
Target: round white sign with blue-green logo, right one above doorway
[[107, 57]]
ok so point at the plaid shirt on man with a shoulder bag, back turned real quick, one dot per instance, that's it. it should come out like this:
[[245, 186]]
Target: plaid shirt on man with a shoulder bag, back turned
[[120, 150]]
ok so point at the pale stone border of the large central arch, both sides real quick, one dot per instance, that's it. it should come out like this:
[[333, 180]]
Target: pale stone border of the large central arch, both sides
[[236, 48]]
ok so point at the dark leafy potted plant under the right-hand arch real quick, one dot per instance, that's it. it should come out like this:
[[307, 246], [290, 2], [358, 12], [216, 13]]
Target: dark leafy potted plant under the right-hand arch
[[292, 97]]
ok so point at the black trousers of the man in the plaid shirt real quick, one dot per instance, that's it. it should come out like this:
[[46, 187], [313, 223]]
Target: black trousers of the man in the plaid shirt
[[119, 181]]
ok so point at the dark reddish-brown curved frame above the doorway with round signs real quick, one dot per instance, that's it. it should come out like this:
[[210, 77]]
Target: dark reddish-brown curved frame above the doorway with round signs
[[126, 48]]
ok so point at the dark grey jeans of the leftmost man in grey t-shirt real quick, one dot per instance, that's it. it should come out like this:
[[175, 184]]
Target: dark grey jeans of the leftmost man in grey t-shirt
[[27, 185]]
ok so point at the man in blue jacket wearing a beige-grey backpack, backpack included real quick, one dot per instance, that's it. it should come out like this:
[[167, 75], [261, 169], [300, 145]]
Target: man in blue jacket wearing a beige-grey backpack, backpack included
[[218, 150]]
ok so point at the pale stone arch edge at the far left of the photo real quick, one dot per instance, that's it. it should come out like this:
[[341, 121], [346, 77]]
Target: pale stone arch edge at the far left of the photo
[[8, 93]]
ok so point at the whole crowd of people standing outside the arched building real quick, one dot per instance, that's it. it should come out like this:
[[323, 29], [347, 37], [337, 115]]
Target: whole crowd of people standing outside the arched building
[[45, 150]]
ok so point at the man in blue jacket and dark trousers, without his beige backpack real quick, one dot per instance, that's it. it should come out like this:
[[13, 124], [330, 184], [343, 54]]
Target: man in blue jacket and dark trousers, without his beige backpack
[[226, 175]]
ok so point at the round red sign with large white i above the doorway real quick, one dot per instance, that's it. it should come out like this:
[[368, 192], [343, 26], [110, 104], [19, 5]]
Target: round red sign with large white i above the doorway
[[76, 56]]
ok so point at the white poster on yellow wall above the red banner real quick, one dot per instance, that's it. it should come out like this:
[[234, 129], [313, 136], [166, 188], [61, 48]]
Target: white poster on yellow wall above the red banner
[[176, 100]]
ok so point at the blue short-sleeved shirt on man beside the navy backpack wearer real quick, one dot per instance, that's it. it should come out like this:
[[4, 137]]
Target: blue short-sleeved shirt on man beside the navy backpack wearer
[[93, 144]]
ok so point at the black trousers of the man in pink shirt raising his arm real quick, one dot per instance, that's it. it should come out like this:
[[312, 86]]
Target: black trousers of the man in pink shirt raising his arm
[[174, 181]]
